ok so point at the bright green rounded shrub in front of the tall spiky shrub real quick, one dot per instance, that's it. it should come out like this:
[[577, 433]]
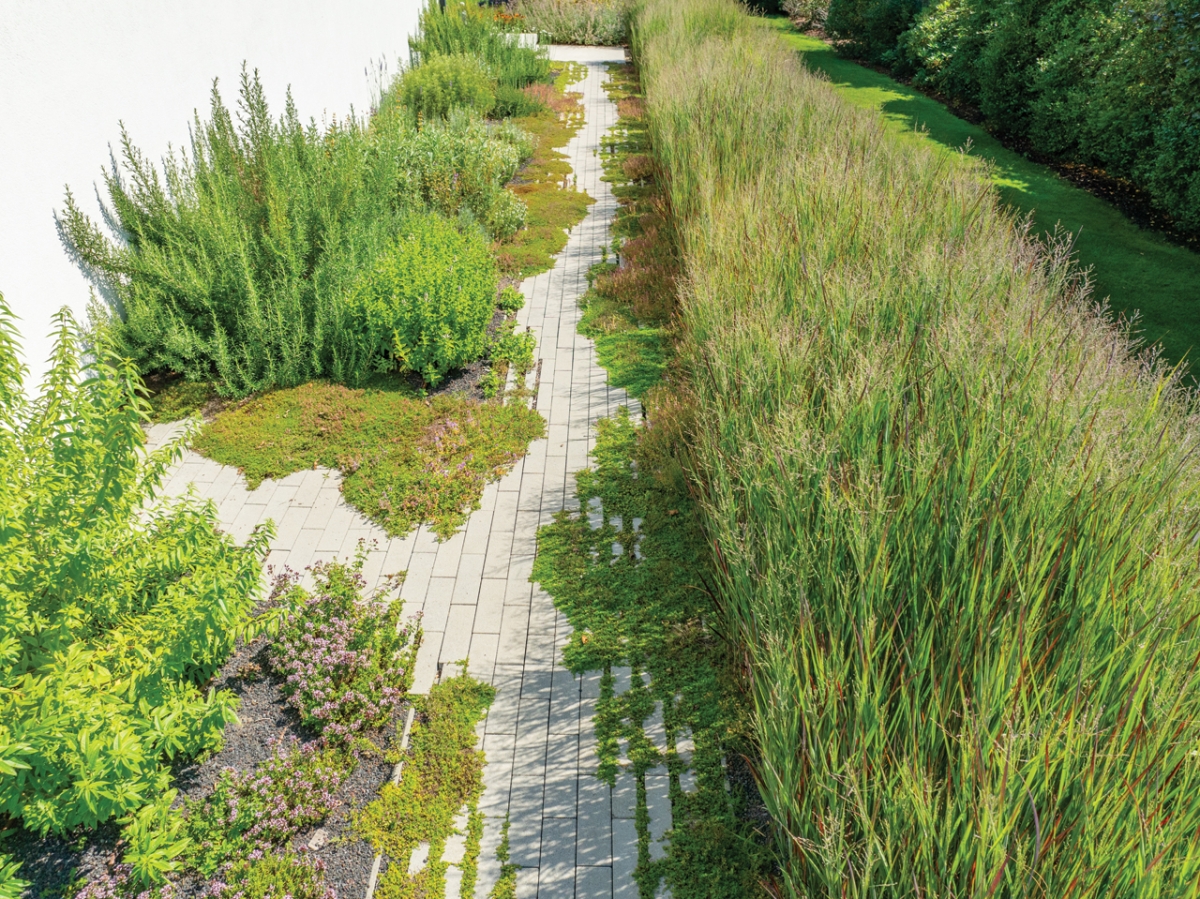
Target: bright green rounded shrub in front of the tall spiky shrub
[[427, 304]]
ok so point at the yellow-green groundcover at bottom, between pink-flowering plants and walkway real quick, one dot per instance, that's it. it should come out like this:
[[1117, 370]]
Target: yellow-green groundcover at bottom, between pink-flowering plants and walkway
[[442, 775]]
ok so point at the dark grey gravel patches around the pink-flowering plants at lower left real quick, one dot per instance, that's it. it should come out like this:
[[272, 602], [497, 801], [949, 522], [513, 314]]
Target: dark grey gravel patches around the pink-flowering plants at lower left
[[53, 864]]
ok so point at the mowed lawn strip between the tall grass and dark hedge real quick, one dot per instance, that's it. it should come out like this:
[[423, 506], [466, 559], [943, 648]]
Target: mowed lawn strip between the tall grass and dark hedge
[[1138, 271]]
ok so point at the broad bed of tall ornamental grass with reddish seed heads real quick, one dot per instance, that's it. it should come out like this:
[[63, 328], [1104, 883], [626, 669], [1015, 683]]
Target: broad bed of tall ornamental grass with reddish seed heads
[[955, 517]]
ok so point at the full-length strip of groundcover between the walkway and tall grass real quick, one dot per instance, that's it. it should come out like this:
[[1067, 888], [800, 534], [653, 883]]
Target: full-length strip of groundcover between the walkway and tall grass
[[651, 609]]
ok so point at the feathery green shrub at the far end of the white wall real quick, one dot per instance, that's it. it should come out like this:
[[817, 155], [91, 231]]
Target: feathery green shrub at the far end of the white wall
[[466, 29]]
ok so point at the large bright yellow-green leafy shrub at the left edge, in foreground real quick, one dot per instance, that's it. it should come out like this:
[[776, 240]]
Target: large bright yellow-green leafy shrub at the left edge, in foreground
[[115, 612]]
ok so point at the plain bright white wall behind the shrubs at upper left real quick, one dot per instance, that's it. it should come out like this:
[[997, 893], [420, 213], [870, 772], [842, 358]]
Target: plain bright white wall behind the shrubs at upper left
[[73, 70]]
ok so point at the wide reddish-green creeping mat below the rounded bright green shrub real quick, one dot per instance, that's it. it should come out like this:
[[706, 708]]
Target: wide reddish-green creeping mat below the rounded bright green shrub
[[405, 460]]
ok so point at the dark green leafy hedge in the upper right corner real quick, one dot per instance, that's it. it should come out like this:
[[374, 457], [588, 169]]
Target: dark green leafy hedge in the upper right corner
[[1112, 83]]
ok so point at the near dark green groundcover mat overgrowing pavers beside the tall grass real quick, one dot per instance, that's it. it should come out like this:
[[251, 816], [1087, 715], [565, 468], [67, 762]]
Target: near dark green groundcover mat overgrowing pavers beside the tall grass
[[647, 609]]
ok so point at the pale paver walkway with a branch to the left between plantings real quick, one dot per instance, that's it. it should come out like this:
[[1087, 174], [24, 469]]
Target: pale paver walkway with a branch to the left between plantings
[[475, 591]]
